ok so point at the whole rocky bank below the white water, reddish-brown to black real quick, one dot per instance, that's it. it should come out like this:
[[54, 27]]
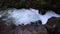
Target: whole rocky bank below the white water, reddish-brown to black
[[52, 27]]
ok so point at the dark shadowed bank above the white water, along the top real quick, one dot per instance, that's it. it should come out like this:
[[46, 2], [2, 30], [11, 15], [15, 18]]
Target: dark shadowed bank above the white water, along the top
[[41, 5]]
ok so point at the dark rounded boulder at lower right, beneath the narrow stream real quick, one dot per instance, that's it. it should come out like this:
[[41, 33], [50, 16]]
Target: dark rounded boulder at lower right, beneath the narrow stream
[[53, 25]]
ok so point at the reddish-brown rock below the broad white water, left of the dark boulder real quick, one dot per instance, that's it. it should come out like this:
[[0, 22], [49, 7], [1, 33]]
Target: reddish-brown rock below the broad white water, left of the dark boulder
[[34, 28]]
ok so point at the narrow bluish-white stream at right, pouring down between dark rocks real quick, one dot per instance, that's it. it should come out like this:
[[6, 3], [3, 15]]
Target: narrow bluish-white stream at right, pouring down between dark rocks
[[49, 14]]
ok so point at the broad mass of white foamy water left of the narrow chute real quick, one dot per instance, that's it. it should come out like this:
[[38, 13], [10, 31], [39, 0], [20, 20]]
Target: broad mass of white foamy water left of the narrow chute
[[24, 16]]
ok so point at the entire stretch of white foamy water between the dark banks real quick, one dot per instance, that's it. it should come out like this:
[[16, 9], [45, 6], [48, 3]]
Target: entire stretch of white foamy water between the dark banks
[[25, 16]]
